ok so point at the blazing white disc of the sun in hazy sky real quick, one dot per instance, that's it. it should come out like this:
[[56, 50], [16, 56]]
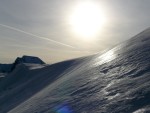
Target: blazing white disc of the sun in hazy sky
[[87, 19]]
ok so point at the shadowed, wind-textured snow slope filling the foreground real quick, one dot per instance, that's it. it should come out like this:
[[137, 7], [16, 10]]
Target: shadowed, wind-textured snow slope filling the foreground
[[115, 82]]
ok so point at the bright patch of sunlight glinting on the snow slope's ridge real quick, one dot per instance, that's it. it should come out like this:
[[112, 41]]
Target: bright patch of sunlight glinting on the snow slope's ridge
[[108, 56]]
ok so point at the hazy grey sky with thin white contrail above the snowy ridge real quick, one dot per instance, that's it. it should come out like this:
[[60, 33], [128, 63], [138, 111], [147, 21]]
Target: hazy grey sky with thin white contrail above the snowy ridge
[[42, 27]]
